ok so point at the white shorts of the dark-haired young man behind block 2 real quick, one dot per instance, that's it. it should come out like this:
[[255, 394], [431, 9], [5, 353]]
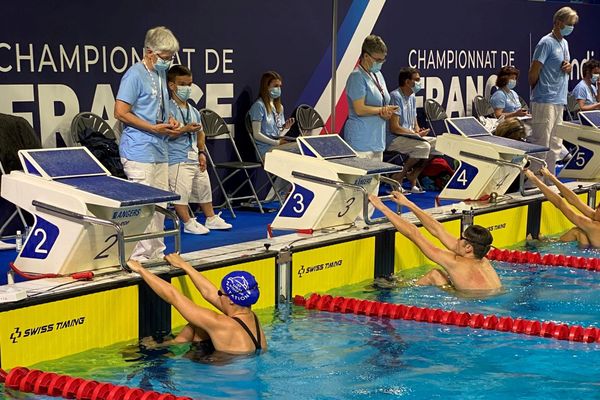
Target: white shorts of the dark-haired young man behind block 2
[[190, 183]]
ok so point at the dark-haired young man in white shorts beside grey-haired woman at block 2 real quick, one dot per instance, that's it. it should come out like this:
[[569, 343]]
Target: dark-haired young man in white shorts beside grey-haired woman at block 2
[[187, 161]]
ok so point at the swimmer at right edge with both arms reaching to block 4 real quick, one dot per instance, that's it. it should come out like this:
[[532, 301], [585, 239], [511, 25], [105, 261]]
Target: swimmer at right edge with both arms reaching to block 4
[[587, 226]]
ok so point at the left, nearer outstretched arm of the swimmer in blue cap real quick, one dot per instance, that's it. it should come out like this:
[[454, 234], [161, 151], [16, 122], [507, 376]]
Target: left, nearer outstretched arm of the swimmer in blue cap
[[194, 314]]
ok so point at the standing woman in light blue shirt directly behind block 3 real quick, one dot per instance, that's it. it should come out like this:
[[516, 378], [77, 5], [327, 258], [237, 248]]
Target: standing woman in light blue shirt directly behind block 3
[[368, 101]]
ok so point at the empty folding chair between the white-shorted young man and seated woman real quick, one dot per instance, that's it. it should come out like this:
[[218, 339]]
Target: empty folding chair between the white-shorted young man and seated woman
[[214, 125]]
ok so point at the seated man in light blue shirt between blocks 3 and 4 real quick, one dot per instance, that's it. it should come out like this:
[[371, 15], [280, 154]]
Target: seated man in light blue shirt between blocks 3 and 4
[[404, 134]]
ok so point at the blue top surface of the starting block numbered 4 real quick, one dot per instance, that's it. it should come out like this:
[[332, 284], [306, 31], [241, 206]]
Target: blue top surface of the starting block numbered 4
[[472, 128]]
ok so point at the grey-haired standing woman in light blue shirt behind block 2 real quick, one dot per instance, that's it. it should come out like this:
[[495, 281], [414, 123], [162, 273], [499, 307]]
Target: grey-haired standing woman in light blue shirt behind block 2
[[142, 107]]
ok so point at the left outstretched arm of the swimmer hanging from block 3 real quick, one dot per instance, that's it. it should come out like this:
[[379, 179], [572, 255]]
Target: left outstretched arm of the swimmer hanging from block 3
[[444, 258]]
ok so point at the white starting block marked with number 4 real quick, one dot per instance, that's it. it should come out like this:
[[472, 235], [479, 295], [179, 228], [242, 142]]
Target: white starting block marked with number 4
[[488, 164]]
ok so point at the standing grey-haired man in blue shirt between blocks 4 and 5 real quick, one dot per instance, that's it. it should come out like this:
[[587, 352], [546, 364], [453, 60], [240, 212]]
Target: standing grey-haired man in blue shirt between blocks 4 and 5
[[549, 78]]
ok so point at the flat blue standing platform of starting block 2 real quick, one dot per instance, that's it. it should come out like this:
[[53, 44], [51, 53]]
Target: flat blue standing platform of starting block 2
[[128, 193]]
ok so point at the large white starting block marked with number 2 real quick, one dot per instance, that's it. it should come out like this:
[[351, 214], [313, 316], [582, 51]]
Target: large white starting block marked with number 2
[[85, 219]]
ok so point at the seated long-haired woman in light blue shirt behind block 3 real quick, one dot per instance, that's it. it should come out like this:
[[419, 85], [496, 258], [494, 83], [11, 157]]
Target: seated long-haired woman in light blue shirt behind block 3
[[268, 123]]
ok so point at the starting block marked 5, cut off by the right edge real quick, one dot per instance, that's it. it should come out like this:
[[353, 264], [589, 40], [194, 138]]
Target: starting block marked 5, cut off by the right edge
[[583, 142]]
